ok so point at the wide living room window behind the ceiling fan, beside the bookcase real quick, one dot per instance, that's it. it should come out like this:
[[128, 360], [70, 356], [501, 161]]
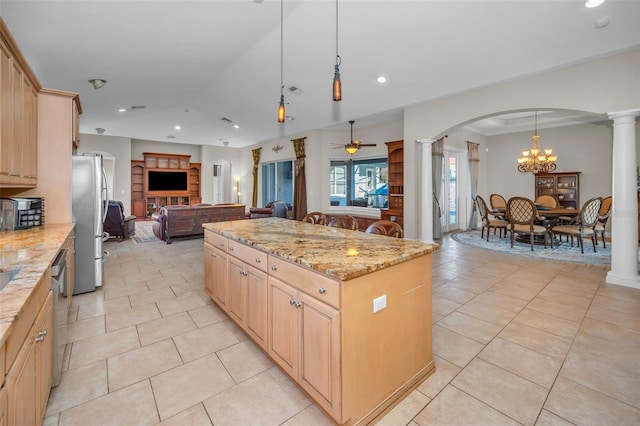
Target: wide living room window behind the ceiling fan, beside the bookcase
[[361, 183]]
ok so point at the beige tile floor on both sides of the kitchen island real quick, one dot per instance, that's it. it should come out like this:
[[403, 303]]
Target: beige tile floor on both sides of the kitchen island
[[516, 341]]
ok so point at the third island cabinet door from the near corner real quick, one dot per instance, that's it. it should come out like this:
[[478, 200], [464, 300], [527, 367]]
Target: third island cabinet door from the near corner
[[257, 305]]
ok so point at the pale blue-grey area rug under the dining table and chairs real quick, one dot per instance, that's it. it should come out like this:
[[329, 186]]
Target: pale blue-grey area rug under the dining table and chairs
[[562, 253]]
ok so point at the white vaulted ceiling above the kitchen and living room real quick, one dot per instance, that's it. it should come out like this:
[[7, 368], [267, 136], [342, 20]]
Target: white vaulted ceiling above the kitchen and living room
[[194, 64]]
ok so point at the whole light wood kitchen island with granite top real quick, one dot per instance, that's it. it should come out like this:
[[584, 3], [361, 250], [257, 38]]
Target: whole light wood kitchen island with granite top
[[347, 315]]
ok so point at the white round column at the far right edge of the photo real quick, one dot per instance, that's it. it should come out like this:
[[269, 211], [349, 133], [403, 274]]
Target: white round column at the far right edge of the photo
[[624, 210]]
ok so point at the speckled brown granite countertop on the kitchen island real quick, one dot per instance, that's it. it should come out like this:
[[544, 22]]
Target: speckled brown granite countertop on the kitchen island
[[338, 253]]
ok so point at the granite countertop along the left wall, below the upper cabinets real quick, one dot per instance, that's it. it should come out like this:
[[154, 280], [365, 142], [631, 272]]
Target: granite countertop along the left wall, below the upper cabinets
[[32, 250]]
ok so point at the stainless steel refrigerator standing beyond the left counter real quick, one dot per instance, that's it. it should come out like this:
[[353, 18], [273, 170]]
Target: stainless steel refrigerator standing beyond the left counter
[[89, 195]]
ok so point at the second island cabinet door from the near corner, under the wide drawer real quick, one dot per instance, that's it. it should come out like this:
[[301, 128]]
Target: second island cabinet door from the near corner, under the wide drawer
[[283, 322]]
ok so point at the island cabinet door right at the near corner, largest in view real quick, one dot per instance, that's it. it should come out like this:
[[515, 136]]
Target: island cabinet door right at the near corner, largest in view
[[320, 352]]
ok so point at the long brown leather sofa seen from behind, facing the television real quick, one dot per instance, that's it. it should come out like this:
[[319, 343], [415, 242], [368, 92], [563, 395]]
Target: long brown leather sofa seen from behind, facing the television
[[181, 221]]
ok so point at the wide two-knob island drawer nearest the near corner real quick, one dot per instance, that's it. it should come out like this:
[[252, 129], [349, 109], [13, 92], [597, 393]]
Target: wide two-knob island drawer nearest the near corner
[[318, 286]]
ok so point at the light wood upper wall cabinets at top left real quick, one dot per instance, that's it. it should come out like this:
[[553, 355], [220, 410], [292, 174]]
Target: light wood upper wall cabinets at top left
[[18, 116]]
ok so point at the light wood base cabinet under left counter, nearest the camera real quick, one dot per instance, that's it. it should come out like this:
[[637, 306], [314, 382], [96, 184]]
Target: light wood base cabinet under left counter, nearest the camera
[[29, 380]]
